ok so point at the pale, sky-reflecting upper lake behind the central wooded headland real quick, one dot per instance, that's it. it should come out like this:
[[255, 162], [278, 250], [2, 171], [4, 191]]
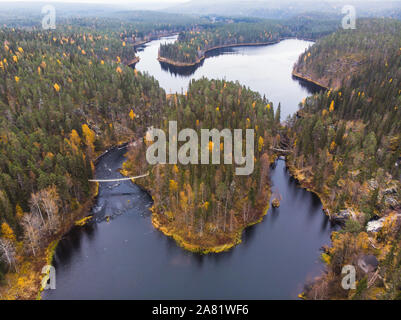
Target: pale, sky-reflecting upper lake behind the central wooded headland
[[266, 69]]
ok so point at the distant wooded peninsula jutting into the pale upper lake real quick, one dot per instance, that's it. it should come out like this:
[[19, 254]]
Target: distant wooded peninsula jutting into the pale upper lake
[[192, 45]]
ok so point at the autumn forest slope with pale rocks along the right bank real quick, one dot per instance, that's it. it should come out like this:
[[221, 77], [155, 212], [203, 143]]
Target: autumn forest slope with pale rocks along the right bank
[[347, 147]]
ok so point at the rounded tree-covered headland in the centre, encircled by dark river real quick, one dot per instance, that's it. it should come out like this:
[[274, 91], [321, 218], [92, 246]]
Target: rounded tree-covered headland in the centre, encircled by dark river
[[206, 207]]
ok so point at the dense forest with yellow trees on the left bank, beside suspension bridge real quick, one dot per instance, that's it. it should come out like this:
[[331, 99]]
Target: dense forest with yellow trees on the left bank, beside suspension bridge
[[65, 97]]
